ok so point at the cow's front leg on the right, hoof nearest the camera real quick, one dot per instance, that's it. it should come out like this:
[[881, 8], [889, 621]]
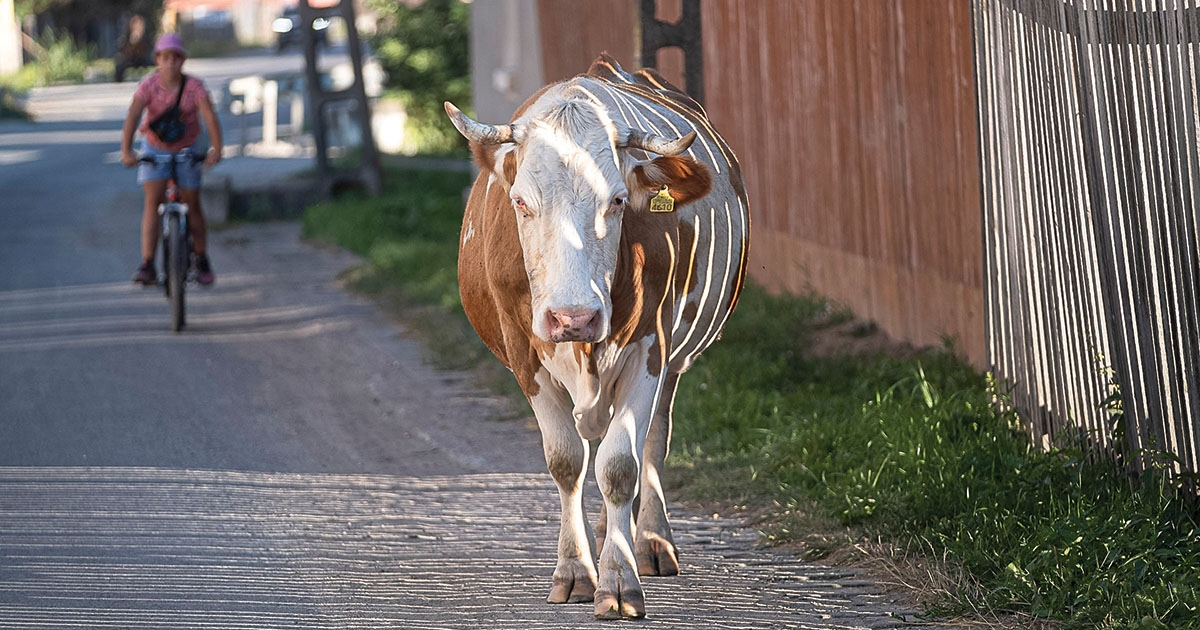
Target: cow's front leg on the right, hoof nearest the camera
[[617, 476]]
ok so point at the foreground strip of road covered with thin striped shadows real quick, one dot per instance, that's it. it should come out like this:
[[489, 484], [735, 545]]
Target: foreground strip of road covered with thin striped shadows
[[147, 548]]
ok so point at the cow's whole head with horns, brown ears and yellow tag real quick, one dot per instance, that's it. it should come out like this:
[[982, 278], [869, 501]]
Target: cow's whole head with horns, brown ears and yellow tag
[[571, 178]]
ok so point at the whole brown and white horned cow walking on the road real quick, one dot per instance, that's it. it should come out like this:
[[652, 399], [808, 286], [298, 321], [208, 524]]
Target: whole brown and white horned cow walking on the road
[[598, 304]]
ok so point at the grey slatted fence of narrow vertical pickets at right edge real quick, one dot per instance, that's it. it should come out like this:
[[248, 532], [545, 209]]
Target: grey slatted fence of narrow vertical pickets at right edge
[[1089, 113]]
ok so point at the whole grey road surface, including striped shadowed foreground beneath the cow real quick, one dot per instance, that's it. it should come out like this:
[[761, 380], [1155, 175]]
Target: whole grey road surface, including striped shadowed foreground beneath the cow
[[290, 460]]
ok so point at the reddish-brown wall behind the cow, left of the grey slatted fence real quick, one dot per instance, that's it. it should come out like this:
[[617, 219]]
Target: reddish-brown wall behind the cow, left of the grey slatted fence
[[855, 123]]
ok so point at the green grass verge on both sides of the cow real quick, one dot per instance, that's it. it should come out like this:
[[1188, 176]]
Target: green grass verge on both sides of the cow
[[911, 451]]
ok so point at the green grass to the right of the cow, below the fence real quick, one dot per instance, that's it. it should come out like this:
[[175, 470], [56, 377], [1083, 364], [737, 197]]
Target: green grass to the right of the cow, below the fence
[[916, 452]]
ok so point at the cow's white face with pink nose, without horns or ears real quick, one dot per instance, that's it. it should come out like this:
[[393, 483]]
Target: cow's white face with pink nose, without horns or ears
[[569, 195]]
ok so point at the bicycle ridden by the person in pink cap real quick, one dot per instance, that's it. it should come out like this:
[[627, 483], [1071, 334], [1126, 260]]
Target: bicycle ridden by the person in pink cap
[[177, 244]]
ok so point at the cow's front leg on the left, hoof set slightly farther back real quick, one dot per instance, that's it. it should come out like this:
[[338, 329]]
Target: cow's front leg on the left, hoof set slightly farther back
[[567, 455]]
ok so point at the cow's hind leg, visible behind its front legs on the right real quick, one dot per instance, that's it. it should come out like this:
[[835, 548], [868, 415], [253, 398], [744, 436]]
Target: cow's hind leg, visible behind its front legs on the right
[[655, 547]]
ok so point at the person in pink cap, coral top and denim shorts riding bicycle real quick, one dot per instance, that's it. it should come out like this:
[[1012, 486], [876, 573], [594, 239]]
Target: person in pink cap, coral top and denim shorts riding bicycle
[[157, 95]]
